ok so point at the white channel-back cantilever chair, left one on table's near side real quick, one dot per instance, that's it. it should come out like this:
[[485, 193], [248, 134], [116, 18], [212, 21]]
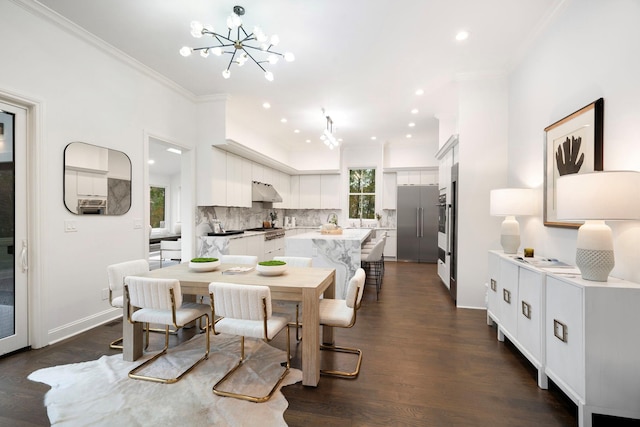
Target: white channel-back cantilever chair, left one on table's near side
[[160, 301]]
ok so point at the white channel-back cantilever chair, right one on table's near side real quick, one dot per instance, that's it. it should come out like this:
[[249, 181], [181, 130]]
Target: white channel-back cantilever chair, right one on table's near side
[[246, 311]]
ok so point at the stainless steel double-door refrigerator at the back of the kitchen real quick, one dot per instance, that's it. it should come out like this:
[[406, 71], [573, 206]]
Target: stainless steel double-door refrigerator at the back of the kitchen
[[418, 223]]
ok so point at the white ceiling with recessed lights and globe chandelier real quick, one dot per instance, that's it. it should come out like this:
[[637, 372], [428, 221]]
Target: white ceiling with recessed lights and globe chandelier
[[360, 60]]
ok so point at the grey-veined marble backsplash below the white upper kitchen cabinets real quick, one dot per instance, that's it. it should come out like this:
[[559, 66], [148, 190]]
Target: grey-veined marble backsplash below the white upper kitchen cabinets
[[242, 218]]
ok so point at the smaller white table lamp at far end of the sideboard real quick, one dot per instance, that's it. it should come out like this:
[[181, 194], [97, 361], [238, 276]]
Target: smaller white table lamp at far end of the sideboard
[[510, 202]]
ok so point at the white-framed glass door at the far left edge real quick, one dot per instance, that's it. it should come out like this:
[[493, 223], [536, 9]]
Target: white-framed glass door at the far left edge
[[13, 229]]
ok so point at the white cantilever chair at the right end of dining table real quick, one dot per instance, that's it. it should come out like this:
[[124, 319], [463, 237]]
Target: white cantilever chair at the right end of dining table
[[340, 313]]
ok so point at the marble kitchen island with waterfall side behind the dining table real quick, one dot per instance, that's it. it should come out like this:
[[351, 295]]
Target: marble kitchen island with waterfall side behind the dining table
[[339, 251]]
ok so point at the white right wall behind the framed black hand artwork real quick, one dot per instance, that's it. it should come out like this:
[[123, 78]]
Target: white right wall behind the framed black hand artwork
[[589, 51]]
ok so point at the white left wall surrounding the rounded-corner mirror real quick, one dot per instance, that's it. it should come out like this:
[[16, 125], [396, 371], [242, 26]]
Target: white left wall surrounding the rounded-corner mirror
[[91, 96]]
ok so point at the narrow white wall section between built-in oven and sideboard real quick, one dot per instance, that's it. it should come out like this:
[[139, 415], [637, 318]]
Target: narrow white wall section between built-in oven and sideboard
[[483, 115]]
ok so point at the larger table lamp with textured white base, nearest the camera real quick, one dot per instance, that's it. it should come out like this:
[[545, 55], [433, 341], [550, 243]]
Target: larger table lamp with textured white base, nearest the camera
[[595, 197]]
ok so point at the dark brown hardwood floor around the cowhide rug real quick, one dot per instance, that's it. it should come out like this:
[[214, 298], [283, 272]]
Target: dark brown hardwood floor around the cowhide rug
[[425, 363]]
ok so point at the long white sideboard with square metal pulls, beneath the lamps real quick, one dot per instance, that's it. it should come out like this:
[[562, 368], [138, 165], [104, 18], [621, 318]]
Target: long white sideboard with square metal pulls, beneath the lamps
[[581, 334]]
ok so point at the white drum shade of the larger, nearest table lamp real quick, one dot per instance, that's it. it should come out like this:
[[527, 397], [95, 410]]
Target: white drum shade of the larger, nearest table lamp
[[609, 195]]
